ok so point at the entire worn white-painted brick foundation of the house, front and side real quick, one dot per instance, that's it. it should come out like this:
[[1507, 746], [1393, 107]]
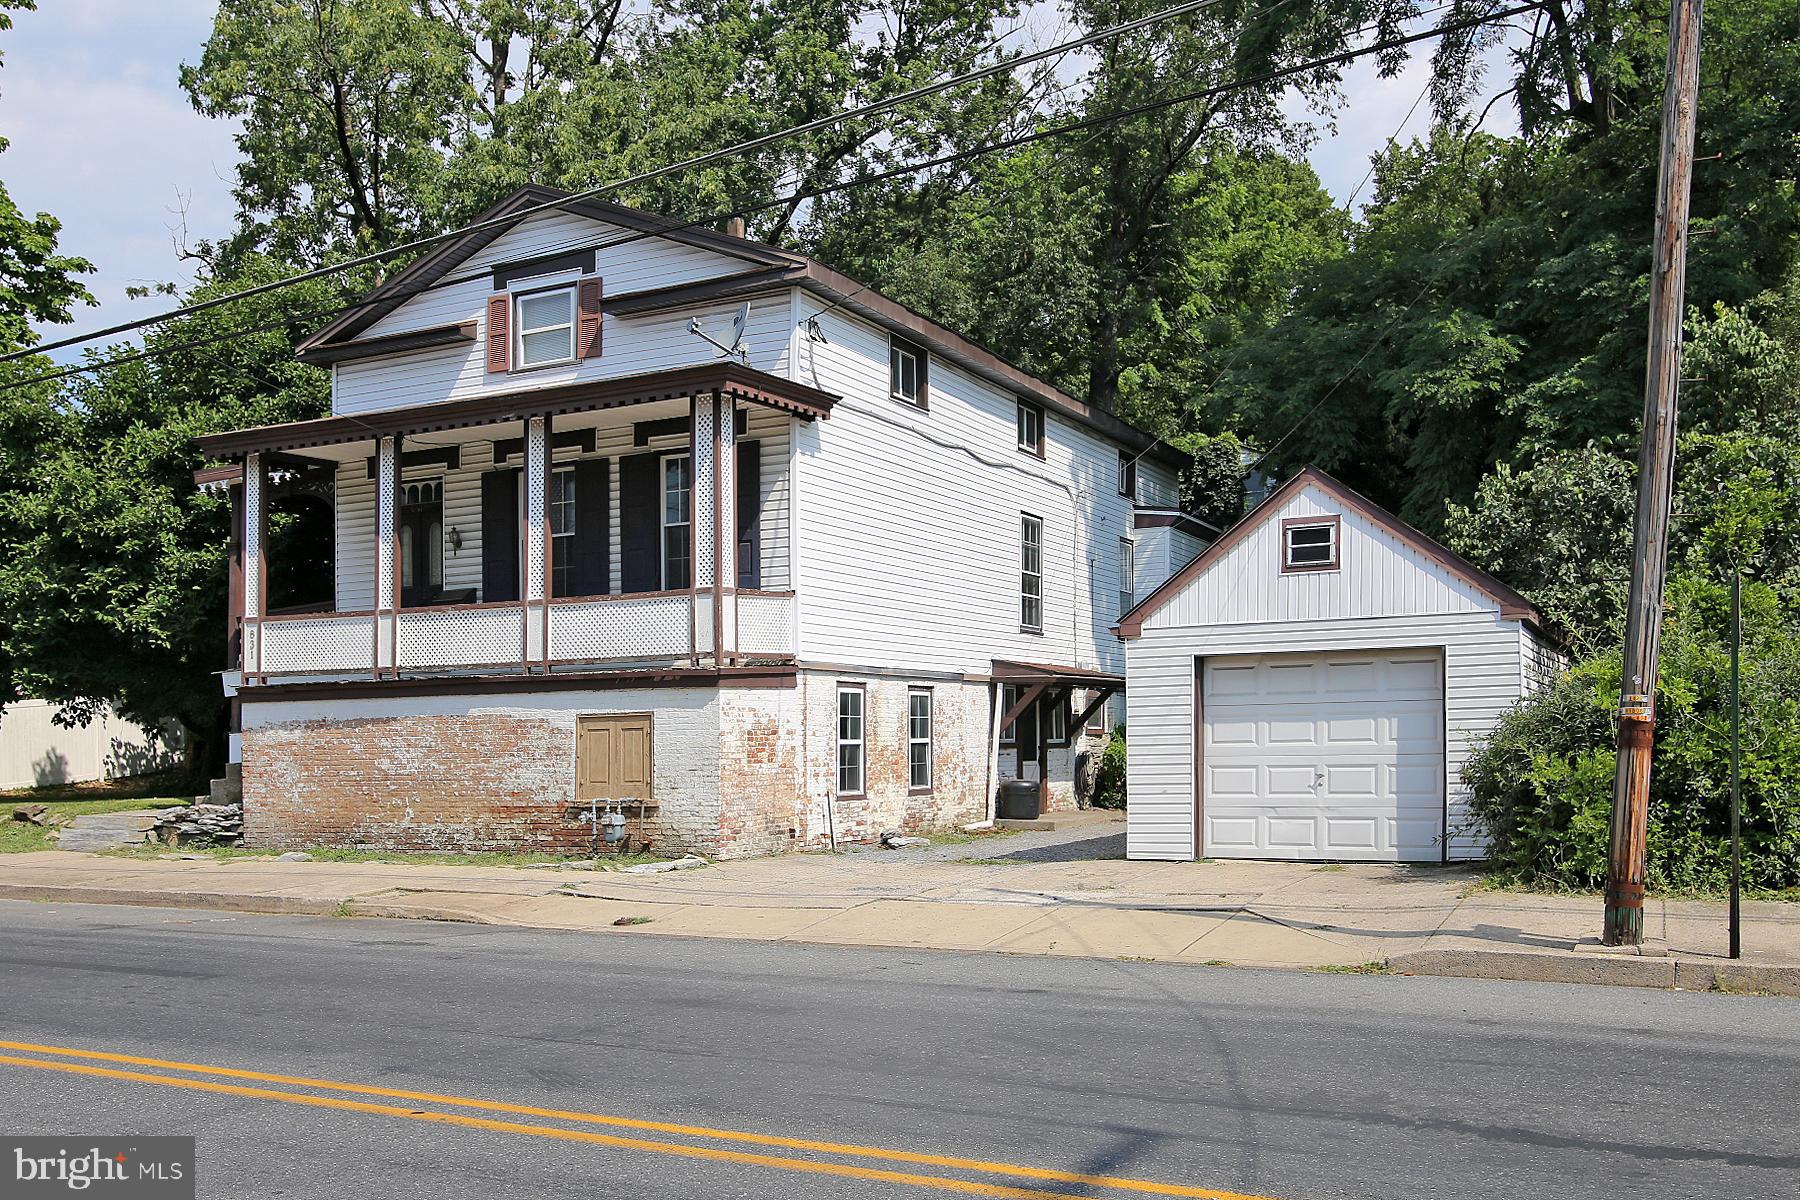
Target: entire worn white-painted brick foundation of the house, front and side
[[737, 771]]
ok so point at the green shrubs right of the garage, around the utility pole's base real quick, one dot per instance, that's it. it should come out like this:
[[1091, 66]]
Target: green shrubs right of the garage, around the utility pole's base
[[1543, 782]]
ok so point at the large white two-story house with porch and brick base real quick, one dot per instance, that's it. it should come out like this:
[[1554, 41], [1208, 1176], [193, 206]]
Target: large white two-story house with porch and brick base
[[615, 510]]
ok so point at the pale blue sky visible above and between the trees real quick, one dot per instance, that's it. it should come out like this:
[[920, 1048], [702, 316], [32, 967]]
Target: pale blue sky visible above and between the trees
[[103, 138]]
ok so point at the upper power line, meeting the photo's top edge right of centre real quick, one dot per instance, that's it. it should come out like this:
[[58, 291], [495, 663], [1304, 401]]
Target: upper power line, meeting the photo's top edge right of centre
[[642, 177]]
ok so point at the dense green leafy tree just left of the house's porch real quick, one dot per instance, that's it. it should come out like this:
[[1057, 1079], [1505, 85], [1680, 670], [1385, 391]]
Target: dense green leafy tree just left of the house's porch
[[114, 569]]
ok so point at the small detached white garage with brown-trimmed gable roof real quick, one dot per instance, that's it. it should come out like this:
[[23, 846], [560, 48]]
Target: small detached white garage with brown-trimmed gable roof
[[1311, 685]]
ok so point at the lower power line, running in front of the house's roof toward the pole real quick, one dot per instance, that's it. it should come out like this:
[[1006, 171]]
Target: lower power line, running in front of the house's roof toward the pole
[[827, 190]]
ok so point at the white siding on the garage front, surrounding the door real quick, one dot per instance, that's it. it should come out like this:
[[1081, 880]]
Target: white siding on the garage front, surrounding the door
[[1385, 596]]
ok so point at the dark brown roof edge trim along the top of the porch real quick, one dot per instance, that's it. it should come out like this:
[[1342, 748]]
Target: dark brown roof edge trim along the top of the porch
[[728, 377]]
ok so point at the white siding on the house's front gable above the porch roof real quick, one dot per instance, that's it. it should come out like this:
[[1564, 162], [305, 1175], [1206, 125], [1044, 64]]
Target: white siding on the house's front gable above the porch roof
[[631, 345]]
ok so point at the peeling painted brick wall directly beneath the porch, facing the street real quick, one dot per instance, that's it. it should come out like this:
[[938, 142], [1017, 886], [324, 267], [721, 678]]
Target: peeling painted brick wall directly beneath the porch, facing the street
[[465, 773]]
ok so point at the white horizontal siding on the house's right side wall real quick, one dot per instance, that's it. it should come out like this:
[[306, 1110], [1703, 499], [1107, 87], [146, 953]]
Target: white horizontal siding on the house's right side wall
[[910, 519]]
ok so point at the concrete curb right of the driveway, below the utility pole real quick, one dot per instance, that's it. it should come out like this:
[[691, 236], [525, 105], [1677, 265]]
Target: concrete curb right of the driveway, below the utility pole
[[1610, 971]]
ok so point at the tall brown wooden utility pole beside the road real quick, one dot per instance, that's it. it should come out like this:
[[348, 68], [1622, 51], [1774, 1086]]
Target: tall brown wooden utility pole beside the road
[[1626, 866]]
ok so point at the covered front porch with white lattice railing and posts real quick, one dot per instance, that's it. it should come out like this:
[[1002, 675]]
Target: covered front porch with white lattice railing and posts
[[638, 523]]
